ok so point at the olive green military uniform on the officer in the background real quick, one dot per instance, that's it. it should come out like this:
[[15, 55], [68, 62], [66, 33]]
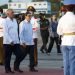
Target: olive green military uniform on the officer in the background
[[44, 23]]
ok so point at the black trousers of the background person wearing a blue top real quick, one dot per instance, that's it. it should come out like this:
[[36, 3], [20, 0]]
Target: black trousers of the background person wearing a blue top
[[52, 40]]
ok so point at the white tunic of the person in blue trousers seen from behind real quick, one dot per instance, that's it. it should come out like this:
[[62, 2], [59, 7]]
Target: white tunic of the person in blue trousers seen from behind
[[66, 24]]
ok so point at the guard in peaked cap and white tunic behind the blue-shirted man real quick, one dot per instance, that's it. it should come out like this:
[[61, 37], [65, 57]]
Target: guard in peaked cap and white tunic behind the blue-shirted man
[[34, 23]]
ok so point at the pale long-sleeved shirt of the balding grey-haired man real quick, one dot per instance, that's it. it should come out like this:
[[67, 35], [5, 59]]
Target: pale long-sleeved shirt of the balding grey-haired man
[[10, 31]]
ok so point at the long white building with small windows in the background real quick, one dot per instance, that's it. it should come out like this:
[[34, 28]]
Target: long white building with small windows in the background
[[41, 7]]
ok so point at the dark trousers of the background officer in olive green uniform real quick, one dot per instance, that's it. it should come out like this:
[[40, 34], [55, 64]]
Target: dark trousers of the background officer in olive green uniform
[[44, 36]]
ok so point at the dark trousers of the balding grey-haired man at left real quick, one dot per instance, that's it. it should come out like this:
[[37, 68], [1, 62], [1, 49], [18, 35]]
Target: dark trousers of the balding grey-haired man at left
[[8, 52]]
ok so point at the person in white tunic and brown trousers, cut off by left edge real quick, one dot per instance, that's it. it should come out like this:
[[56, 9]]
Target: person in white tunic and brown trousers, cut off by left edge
[[1, 38]]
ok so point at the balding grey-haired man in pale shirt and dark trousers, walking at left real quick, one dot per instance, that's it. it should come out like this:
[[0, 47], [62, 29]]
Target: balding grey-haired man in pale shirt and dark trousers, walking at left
[[11, 42]]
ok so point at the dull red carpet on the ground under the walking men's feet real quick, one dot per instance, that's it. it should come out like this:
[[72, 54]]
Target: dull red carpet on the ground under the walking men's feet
[[40, 72]]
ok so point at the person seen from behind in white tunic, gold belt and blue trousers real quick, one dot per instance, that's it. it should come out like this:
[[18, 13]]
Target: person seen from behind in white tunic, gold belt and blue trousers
[[66, 28]]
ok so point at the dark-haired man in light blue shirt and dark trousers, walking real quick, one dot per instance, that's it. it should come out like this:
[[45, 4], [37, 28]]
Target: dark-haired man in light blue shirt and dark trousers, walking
[[26, 40]]
